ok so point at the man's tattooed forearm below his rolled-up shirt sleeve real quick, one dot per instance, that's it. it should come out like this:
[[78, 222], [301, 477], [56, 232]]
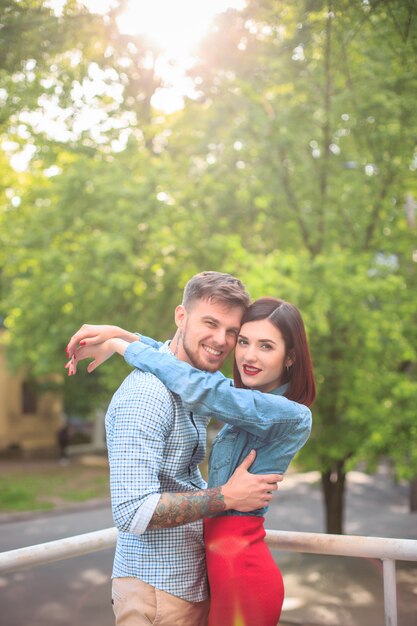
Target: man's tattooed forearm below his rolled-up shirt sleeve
[[176, 509]]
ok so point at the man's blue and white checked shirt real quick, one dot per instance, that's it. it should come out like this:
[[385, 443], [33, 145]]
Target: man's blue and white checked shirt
[[155, 446]]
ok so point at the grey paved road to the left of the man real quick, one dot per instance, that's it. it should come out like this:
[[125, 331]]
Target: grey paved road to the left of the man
[[74, 592]]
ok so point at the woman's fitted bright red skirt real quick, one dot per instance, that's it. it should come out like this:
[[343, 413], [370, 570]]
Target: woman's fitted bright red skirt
[[246, 586]]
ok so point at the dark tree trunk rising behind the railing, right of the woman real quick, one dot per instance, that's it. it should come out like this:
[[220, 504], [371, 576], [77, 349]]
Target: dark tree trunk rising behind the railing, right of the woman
[[333, 483]]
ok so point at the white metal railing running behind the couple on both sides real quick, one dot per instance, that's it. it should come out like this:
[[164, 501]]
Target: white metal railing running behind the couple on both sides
[[388, 550]]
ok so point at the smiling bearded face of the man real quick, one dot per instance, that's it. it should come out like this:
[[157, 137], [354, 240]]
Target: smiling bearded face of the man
[[209, 332]]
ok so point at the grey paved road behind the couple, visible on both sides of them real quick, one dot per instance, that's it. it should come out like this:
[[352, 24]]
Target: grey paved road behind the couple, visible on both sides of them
[[329, 591]]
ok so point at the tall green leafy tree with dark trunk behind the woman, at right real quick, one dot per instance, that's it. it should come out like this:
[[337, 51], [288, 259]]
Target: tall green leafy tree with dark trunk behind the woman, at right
[[307, 148]]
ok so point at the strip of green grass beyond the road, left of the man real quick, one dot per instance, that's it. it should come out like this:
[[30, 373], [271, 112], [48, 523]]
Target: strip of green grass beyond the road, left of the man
[[45, 486]]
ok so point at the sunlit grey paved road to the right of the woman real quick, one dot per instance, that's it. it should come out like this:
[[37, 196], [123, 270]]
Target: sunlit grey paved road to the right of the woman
[[344, 591]]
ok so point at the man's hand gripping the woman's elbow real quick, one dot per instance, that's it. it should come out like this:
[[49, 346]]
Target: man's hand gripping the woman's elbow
[[246, 492]]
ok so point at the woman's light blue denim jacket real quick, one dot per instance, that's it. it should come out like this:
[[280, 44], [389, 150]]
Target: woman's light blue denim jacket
[[267, 422]]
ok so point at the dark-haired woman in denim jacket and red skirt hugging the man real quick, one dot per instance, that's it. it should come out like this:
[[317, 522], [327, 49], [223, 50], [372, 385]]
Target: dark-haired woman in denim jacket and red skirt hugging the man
[[271, 356]]
